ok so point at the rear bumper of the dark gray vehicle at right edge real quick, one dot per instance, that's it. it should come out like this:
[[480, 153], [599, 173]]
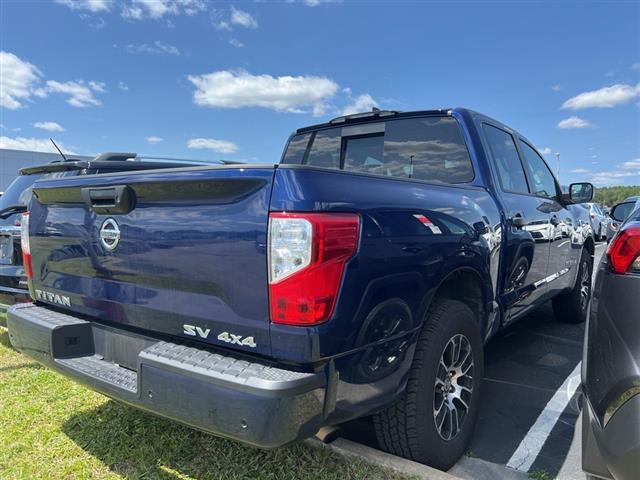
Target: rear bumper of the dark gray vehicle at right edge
[[612, 451]]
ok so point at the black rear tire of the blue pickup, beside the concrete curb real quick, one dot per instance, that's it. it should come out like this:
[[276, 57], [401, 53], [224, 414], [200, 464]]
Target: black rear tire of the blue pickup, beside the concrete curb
[[408, 428]]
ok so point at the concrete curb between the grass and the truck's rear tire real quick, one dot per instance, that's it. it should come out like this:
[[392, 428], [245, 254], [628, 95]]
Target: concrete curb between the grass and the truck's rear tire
[[370, 455]]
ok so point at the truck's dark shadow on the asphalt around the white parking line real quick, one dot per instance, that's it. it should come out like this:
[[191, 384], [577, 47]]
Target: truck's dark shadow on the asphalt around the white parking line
[[525, 365]]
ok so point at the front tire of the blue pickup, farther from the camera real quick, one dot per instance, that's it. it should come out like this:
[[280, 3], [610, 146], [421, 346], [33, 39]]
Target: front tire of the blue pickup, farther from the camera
[[572, 307]]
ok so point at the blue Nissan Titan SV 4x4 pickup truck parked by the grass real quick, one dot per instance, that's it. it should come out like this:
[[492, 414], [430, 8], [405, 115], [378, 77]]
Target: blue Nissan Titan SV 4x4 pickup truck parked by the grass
[[362, 275]]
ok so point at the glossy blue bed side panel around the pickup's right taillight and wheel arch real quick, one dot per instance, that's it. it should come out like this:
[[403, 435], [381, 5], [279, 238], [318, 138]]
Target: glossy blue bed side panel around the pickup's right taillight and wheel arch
[[398, 256]]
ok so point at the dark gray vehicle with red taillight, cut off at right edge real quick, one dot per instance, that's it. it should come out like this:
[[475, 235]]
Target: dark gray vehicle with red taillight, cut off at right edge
[[611, 360]]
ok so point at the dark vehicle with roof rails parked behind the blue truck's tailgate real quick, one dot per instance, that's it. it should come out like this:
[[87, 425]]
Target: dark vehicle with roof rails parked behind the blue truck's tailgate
[[13, 280]]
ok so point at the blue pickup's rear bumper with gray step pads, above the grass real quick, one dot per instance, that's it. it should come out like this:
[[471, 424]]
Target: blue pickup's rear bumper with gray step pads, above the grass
[[250, 402]]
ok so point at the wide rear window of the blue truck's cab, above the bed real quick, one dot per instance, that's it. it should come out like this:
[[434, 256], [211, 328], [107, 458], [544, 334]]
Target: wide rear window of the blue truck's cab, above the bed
[[426, 148]]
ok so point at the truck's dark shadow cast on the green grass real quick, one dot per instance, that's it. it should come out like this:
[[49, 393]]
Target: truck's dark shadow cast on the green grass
[[137, 445]]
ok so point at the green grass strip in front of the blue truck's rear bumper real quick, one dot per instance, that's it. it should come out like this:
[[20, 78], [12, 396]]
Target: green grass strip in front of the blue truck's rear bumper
[[52, 428]]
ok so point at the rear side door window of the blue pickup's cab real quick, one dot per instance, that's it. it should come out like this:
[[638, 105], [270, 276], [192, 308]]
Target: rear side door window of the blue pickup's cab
[[506, 160]]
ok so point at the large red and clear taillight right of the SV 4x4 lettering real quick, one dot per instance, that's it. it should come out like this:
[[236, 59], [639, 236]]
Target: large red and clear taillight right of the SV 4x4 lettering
[[307, 256]]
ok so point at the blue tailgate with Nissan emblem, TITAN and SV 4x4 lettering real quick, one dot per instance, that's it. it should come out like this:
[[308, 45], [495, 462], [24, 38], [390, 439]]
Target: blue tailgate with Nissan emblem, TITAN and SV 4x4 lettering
[[181, 253]]
